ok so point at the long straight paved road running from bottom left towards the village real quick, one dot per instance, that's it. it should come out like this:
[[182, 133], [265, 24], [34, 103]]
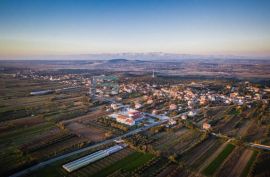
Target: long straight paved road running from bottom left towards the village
[[45, 163]]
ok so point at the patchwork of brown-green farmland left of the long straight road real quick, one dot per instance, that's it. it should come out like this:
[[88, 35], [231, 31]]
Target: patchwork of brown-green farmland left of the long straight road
[[35, 128]]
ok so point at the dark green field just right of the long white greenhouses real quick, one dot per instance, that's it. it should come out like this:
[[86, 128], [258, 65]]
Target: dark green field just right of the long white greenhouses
[[128, 164]]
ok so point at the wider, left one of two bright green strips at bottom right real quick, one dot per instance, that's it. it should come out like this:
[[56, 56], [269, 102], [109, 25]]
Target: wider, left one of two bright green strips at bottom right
[[215, 164]]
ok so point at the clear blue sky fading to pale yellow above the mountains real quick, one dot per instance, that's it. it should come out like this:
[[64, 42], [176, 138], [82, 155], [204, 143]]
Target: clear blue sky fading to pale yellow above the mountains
[[73, 27]]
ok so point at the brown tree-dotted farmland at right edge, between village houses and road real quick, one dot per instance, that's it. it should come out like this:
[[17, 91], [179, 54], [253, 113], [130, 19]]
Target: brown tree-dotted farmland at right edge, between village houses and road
[[245, 123]]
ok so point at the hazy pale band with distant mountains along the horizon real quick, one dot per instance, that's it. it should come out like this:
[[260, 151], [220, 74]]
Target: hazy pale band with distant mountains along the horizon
[[132, 56]]
